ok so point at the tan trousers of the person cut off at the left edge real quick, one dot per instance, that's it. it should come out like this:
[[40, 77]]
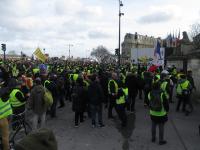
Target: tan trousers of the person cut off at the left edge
[[4, 128]]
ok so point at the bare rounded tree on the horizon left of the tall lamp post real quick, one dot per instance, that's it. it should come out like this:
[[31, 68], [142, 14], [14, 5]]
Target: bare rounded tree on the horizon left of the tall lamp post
[[102, 55]]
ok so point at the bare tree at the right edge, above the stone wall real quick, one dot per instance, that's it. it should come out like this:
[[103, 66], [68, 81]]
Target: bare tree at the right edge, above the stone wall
[[195, 34]]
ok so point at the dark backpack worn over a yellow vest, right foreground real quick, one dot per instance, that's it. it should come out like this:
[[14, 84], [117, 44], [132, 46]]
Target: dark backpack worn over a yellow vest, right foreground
[[155, 101]]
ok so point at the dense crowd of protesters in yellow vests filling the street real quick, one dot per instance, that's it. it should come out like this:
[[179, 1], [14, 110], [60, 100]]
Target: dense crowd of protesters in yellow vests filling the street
[[89, 86]]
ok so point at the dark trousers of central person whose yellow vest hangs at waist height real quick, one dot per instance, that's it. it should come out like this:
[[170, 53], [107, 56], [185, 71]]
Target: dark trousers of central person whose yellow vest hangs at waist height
[[120, 109]]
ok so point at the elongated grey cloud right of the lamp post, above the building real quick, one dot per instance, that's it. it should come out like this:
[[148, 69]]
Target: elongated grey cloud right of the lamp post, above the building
[[156, 17]]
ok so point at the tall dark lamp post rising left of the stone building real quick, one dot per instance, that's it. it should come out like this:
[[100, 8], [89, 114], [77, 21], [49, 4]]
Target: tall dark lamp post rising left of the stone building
[[120, 14]]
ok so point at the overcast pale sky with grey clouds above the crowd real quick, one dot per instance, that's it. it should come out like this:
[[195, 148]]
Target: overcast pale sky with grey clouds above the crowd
[[53, 24]]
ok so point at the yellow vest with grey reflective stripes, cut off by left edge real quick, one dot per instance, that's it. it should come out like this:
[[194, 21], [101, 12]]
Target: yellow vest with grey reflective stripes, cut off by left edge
[[5, 109]]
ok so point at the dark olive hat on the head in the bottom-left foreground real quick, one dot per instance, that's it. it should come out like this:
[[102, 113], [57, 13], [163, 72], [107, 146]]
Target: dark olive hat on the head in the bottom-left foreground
[[43, 139]]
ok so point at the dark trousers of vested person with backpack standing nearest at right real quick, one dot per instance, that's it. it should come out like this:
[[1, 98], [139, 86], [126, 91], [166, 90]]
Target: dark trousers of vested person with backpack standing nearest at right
[[161, 130]]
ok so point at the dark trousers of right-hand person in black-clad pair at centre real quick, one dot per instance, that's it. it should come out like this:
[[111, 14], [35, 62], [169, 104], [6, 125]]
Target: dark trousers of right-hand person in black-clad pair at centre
[[96, 109]]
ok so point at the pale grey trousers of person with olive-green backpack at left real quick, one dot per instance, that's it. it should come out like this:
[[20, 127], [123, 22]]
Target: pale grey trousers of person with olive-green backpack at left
[[36, 119]]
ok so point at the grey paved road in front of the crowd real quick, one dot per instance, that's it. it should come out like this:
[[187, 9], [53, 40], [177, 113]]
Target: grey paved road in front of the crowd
[[181, 132]]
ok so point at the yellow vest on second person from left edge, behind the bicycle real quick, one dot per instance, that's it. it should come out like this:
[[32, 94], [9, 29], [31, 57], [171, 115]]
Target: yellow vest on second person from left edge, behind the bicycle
[[13, 100]]
